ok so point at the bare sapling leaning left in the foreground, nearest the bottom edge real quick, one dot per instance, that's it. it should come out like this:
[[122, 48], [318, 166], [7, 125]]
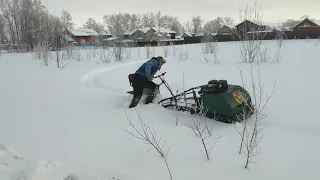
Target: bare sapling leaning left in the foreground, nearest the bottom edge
[[148, 135]]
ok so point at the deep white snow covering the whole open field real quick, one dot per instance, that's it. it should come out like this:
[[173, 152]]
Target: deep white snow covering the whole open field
[[59, 122]]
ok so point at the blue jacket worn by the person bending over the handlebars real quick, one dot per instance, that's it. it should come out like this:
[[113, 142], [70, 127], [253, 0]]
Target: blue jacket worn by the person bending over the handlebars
[[149, 68]]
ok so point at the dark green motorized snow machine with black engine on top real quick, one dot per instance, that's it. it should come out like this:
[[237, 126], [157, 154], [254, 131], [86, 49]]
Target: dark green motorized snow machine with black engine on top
[[216, 100]]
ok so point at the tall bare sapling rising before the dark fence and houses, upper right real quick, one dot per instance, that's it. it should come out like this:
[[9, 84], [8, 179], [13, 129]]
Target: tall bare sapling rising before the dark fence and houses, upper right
[[251, 34]]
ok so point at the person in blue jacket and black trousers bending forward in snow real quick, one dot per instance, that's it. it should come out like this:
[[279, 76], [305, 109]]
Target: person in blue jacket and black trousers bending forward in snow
[[142, 78]]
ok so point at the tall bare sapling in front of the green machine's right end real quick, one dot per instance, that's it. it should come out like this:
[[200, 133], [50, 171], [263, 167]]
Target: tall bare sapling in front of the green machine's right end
[[251, 133]]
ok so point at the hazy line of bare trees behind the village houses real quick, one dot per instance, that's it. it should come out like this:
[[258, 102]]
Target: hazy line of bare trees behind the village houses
[[28, 23]]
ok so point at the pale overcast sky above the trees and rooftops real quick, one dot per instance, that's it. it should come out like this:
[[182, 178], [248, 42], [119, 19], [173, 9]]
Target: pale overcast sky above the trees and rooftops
[[272, 10]]
